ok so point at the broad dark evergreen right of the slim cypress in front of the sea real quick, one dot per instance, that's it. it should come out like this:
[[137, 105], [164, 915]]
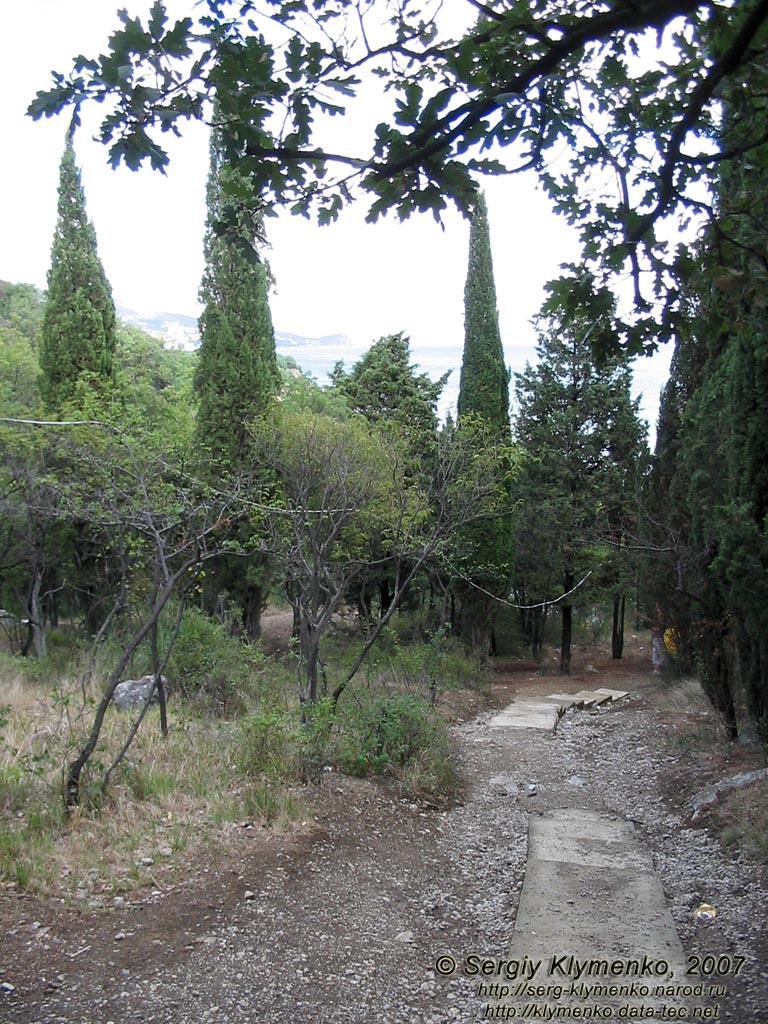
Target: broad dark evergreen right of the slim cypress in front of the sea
[[583, 442]]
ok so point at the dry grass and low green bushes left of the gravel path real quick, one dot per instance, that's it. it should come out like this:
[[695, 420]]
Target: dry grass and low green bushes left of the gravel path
[[234, 755]]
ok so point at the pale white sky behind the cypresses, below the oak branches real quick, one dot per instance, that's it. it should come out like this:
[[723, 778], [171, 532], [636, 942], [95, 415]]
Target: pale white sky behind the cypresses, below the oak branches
[[352, 279]]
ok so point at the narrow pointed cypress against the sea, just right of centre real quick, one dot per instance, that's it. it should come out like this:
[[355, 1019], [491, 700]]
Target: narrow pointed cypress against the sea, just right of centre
[[485, 549]]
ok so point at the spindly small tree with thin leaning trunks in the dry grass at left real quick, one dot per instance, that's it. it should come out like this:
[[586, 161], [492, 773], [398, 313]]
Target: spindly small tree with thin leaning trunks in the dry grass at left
[[165, 527]]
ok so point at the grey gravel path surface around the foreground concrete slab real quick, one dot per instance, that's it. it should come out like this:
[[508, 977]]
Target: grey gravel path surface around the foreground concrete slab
[[348, 930]]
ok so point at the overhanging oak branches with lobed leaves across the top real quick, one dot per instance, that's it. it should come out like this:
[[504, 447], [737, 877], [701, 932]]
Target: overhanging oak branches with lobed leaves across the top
[[617, 106]]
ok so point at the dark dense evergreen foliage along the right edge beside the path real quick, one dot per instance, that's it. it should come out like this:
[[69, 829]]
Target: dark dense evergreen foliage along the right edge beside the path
[[710, 473]]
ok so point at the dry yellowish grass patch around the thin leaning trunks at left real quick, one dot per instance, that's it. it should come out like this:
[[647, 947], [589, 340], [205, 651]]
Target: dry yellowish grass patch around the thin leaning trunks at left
[[167, 799]]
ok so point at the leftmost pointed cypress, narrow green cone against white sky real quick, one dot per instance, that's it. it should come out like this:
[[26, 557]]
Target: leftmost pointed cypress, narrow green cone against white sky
[[78, 337]]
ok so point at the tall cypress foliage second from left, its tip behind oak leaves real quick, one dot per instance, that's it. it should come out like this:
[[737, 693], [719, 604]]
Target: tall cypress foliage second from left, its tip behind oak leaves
[[237, 374]]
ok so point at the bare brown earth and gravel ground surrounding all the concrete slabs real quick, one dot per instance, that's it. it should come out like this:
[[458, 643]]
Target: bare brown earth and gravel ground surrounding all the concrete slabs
[[343, 919]]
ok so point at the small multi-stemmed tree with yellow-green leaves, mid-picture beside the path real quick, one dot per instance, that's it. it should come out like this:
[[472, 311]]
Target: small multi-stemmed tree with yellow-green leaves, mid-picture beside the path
[[338, 485]]
